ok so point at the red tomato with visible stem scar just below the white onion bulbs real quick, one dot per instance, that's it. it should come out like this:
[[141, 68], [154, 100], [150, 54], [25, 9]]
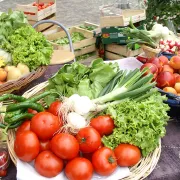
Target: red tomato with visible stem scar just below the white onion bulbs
[[89, 139]]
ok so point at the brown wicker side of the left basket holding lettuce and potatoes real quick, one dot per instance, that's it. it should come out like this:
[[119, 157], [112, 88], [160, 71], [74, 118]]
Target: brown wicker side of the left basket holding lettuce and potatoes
[[11, 86]]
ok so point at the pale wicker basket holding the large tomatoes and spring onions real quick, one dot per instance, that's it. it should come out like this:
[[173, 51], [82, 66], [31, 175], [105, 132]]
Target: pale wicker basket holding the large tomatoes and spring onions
[[138, 172]]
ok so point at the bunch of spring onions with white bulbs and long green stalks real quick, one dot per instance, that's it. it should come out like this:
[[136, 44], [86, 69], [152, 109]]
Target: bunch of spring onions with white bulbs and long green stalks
[[76, 111]]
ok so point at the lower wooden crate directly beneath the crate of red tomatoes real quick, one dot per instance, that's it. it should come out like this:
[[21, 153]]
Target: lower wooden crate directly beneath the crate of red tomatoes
[[45, 26]]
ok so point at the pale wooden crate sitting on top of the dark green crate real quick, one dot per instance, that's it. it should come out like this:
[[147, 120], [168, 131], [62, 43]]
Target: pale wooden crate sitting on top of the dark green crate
[[123, 20]]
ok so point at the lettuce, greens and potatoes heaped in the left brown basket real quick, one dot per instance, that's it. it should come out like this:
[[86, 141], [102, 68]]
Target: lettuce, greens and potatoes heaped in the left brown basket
[[22, 49]]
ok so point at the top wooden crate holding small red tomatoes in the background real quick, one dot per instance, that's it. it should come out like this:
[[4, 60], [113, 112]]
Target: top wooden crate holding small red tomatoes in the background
[[33, 13]]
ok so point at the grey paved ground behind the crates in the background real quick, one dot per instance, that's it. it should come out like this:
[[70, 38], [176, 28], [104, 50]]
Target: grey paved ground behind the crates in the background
[[69, 12]]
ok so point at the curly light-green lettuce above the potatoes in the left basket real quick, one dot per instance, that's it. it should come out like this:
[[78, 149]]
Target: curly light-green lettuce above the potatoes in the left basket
[[28, 47]]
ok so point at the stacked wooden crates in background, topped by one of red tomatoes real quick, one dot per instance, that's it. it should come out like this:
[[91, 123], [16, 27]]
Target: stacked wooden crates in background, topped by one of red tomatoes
[[47, 10]]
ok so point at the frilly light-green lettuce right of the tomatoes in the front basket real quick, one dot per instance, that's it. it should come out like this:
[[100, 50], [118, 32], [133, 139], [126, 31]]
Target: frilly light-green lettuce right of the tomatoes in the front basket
[[139, 123]]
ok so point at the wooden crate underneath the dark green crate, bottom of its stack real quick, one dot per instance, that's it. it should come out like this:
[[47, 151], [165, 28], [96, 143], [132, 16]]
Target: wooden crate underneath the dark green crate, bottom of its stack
[[122, 50]]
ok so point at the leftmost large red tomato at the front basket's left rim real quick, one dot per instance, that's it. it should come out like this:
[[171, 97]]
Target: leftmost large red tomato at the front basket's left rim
[[26, 146]]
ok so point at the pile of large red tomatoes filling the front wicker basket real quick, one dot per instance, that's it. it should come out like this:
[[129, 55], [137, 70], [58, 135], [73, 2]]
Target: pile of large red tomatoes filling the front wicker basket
[[41, 139]]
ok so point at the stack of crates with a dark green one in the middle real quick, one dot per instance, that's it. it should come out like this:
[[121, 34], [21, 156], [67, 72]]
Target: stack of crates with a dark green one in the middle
[[112, 37]]
